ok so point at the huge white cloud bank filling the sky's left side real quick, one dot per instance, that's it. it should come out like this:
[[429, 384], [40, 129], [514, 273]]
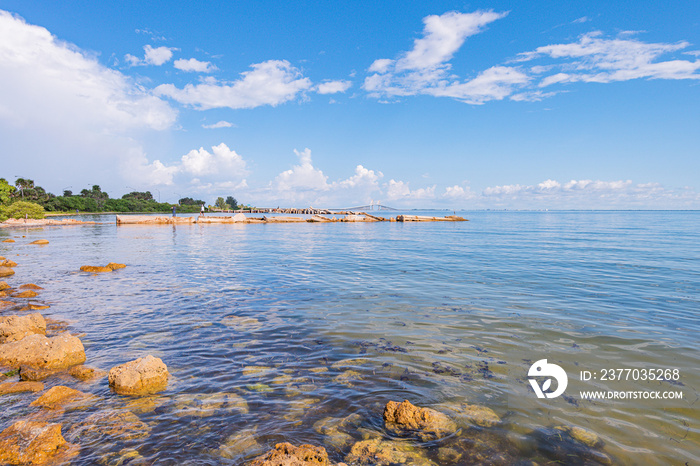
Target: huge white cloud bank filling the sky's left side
[[87, 114]]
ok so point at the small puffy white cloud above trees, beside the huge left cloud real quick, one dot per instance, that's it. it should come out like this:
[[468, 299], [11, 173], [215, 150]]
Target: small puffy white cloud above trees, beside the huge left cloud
[[221, 161]]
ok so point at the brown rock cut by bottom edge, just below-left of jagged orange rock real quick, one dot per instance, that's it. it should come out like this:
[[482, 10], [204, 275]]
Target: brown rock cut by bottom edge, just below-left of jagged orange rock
[[378, 452]]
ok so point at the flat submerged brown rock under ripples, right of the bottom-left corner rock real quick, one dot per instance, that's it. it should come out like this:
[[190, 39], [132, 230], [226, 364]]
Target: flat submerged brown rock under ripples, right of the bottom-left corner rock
[[112, 426]]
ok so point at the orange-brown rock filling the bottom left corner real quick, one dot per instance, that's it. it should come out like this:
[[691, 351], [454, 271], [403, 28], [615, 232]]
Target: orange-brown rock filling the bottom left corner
[[30, 442]]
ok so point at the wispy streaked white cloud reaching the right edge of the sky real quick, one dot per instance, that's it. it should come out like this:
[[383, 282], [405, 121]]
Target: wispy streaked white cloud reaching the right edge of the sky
[[594, 58]]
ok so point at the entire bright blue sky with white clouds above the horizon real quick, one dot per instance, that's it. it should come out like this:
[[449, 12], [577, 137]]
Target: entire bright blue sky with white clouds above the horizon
[[415, 104]]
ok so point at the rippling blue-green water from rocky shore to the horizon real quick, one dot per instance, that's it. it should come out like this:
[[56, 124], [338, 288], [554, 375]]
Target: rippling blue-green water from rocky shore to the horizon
[[439, 313]]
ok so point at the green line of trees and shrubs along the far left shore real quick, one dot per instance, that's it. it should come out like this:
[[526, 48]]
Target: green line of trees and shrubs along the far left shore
[[25, 191]]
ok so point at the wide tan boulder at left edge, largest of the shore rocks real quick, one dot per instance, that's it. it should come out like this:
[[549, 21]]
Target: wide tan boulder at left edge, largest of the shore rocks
[[59, 352]]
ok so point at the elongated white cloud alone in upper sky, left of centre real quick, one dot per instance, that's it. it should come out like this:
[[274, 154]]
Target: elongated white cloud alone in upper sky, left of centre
[[269, 83]]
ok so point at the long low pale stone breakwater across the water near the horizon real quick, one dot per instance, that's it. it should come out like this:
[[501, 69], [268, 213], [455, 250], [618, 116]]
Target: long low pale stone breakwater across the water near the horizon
[[241, 218]]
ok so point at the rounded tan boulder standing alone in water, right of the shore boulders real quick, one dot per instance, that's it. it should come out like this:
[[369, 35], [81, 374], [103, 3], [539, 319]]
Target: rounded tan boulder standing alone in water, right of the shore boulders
[[140, 377]]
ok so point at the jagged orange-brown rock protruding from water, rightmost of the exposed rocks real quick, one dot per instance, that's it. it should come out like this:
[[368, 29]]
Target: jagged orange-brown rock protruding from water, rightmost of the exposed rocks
[[427, 424]]
